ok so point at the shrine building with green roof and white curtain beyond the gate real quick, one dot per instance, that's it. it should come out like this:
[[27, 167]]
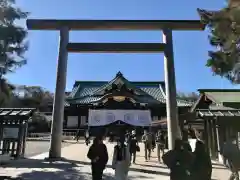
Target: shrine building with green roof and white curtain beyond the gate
[[117, 102]]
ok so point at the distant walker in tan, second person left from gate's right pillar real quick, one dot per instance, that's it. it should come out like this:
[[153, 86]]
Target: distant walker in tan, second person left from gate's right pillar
[[147, 140]]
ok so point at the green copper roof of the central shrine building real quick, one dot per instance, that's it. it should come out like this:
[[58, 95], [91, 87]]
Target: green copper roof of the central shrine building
[[89, 92]]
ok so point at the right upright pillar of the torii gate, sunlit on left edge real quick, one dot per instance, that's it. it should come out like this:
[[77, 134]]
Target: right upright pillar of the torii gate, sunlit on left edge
[[171, 103]]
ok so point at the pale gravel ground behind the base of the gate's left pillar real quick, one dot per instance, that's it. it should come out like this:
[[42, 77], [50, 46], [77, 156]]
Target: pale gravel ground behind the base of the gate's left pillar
[[38, 147]]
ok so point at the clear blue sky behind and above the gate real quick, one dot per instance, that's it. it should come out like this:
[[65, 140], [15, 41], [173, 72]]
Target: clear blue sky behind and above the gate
[[190, 48]]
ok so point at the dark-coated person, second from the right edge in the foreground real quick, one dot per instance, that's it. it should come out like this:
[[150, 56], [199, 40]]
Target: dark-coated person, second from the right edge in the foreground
[[202, 166]]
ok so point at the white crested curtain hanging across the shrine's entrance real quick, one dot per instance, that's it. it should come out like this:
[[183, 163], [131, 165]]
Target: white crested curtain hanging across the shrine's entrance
[[133, 117]]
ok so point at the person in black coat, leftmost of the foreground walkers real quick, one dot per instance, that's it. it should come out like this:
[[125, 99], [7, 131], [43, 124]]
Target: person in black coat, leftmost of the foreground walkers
[[99, 157]]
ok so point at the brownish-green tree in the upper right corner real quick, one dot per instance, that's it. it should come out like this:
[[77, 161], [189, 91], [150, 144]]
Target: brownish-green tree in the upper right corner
[[224, 26]]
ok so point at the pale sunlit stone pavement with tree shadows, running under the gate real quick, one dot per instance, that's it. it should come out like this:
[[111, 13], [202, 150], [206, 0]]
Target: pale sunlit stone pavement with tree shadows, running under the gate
[[76, 166]]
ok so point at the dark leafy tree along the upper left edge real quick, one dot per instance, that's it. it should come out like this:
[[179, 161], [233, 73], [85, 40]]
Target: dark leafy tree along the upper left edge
[[12, 43]]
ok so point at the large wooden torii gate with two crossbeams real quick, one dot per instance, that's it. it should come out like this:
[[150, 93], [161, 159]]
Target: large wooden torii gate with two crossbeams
[[64, 26]]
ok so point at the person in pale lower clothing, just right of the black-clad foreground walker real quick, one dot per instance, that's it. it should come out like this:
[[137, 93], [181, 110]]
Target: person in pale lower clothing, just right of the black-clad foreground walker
[[121, 160]]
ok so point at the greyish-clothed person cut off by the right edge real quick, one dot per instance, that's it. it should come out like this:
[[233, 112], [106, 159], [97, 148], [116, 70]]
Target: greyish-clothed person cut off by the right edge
[[232, 154]]
